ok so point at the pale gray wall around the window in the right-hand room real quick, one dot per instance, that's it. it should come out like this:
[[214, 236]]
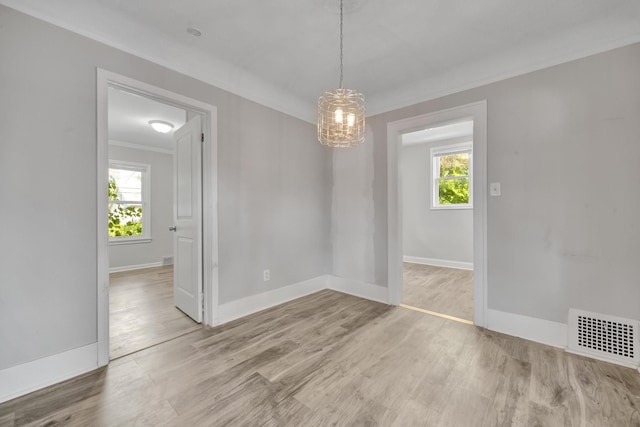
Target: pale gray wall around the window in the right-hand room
[[441, 234]]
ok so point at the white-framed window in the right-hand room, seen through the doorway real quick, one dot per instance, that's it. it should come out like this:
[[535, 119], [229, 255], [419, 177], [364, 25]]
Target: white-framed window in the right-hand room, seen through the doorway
[[452, 167]]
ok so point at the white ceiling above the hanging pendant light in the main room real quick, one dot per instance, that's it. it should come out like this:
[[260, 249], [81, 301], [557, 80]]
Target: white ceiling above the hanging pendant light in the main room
[[284, 53]]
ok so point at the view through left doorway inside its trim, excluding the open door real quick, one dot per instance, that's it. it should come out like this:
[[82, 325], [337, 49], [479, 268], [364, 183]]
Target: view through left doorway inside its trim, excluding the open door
[[142, 310]]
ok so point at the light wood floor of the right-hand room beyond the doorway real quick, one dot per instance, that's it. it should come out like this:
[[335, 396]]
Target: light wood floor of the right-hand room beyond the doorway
[[443, 290]]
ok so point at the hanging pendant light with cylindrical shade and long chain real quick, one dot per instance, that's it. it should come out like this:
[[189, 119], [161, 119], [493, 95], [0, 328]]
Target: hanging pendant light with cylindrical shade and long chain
[[341, 111]]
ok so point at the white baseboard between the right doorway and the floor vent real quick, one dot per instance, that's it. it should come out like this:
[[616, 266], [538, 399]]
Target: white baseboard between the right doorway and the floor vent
[[529, 328]]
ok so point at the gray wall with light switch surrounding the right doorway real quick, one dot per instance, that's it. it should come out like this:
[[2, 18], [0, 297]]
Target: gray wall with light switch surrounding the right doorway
[[563, 142]]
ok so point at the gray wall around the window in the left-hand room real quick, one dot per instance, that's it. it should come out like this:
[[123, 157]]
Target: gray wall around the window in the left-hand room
[[161, 244]]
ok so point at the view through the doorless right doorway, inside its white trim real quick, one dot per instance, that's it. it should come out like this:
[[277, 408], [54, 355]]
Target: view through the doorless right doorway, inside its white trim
[[436, 171]]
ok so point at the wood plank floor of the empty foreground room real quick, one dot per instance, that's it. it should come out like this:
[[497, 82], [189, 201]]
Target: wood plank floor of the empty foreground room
[[334, 359]]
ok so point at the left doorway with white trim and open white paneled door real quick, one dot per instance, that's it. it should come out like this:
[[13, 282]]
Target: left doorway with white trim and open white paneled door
[[157, 223]]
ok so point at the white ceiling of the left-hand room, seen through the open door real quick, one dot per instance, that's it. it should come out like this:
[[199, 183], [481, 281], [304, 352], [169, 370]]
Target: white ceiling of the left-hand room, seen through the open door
[[129, 115]]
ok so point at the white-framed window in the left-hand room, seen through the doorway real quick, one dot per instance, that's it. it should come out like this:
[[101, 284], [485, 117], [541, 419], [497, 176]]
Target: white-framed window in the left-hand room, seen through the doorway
[[129, 216]]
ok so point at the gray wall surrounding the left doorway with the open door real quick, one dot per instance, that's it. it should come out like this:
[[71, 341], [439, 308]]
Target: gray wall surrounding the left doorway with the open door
[[274, 187]]
